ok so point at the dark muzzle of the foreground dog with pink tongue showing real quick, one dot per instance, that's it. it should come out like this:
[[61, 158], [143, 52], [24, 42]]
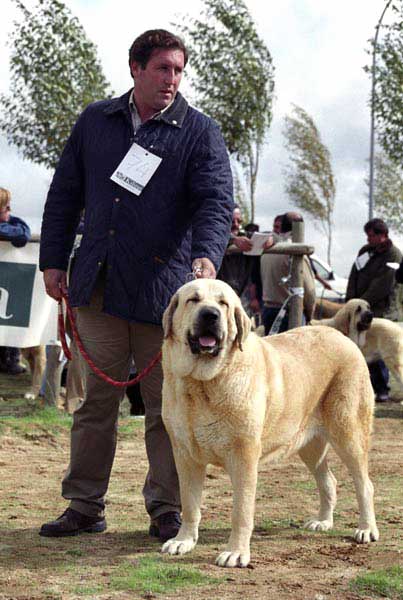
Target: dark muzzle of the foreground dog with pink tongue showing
[[207, 335]]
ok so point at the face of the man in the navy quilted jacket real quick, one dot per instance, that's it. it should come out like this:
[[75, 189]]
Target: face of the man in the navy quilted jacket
[[157, 84]]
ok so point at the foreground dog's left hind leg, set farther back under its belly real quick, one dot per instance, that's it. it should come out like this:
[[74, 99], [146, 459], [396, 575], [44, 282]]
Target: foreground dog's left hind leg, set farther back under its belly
[[314, 456]]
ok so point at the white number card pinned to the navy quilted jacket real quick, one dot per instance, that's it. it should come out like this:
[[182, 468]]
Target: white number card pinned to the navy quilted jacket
[[136, 169]]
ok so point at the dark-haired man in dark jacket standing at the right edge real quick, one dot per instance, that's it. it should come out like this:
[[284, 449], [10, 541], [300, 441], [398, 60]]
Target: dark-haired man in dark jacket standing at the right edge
[[372, 278]]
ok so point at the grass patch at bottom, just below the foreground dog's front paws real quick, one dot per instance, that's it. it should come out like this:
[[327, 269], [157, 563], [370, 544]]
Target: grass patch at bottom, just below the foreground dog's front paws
[[157, 576]]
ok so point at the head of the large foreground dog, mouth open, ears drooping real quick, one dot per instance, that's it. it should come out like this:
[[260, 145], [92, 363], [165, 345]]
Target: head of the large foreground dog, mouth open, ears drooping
[[203, 323]]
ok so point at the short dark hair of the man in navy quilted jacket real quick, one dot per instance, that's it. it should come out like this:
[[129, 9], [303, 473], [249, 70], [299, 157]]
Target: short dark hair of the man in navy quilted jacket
[[143, 46]]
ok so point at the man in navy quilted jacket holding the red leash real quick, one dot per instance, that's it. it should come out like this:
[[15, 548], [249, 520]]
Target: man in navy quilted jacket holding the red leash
[[154, 178]]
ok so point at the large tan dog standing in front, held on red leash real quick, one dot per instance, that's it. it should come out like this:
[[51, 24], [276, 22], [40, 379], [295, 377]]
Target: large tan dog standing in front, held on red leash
[[231, 397]]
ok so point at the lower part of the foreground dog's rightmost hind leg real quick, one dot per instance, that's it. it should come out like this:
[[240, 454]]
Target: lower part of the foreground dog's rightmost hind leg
[[355, 457]]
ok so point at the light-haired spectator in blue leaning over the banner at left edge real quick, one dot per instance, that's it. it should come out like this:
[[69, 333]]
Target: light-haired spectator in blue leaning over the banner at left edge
[[16, 231]]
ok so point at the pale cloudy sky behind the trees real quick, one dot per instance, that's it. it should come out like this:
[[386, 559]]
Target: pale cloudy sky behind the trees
[[319, 51]]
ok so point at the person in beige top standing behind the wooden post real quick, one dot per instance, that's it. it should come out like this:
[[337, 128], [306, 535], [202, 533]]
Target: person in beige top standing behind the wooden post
[[275, 267]]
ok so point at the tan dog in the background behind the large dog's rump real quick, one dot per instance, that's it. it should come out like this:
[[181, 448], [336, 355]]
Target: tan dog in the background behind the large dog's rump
[[377, 338]]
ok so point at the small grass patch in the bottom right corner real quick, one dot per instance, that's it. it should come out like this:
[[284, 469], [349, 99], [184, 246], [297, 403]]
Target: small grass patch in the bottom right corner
[[387, 583]]
